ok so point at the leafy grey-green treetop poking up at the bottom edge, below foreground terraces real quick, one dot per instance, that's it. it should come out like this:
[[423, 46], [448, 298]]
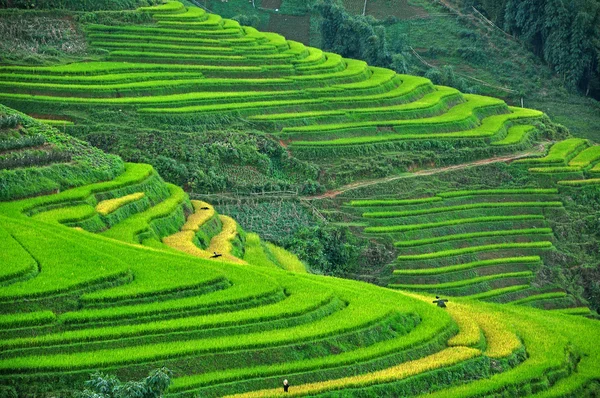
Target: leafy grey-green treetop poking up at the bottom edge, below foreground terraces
[[109, 386]]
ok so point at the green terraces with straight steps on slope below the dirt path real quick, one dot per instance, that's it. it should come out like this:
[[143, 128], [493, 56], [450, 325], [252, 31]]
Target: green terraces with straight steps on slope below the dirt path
[[492, 244]]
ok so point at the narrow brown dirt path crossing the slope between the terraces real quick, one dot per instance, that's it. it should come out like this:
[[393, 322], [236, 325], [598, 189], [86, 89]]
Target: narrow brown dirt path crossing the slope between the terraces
[[361, 184]]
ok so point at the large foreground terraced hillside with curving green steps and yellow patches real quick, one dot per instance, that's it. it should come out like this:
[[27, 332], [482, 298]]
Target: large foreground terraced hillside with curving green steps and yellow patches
[[112, 275]]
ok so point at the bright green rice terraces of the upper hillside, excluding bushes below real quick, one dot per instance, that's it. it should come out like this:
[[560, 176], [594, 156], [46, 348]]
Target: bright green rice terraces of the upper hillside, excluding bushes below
[[193, 70]]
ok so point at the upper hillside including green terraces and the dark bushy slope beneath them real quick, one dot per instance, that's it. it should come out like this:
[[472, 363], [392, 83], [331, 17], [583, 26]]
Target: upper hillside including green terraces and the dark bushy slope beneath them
[[266, 113]]
